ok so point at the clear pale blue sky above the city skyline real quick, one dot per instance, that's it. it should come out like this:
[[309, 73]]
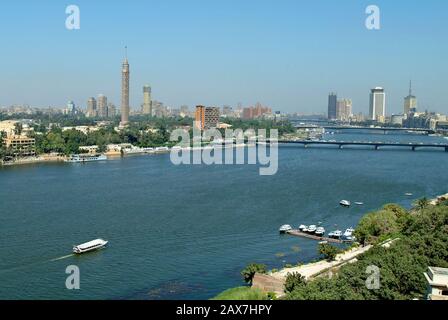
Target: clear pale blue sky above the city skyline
[[287, 53]]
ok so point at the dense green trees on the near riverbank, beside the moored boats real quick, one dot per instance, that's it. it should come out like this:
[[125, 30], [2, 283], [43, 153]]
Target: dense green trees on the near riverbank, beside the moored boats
[[423, 242]]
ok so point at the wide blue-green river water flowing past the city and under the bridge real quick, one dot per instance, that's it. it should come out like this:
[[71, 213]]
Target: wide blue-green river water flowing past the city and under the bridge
[[185, 232]]
